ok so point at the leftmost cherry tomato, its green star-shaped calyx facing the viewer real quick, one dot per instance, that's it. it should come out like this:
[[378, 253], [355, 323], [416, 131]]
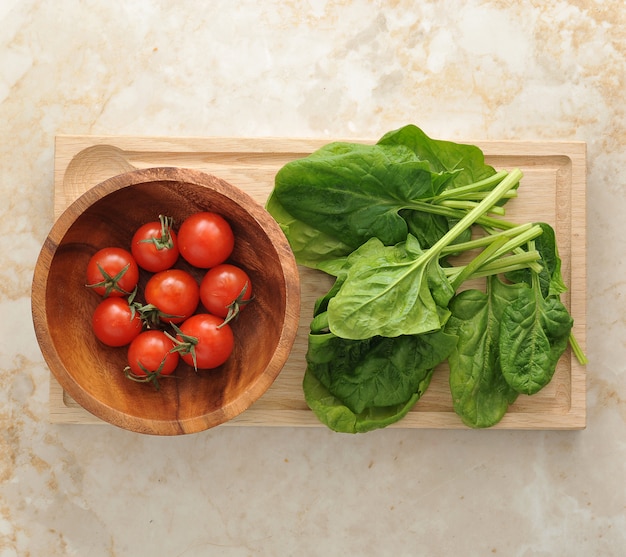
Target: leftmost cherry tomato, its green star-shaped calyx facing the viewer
[[112, 272]]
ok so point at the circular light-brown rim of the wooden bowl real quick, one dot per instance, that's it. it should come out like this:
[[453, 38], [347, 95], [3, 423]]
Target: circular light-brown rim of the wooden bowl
[[157, 426]]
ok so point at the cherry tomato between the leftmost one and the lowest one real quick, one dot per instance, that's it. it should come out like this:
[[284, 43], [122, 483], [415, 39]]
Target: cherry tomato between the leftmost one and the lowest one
[[115, 323]]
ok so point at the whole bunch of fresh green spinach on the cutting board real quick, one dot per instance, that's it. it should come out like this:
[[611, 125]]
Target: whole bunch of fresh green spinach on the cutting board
[[385, 221]]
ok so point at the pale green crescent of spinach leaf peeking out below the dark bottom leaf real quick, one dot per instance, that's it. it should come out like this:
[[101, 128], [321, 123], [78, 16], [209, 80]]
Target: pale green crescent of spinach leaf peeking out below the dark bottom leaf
[[333, 413]]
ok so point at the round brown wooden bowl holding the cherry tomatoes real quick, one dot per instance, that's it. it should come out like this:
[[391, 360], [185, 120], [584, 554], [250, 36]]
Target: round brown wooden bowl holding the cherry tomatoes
[[92, 373]]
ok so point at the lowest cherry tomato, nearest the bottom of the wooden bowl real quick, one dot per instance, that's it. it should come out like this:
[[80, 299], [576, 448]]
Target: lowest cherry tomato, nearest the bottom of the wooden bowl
[[151, 353]]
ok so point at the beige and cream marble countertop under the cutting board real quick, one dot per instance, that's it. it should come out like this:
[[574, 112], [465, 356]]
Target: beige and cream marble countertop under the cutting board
[[524, 70]]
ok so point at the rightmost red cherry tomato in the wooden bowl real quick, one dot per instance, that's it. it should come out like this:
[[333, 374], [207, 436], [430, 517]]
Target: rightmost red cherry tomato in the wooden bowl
[[225, 290]]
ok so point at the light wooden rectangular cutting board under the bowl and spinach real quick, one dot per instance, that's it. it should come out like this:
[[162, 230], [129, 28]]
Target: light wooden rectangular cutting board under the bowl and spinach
[[553, 190]]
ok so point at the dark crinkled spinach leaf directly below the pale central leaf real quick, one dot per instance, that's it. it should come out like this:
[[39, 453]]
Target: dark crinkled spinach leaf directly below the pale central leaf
[[379, 371]]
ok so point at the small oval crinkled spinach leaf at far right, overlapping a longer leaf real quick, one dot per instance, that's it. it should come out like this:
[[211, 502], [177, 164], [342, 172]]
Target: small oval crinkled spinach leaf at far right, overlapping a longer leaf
[[534, 333]]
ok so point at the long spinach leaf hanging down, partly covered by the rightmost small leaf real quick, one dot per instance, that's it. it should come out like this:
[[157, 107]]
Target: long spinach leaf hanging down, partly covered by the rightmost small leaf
[[480, 394]]
